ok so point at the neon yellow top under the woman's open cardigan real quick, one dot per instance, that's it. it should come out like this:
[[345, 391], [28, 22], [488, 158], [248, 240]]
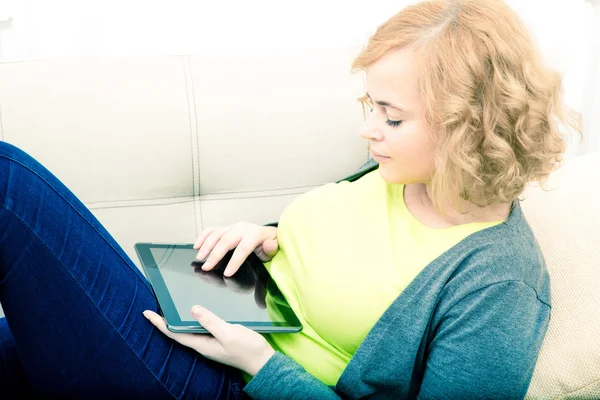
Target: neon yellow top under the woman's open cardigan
[[346, 252]]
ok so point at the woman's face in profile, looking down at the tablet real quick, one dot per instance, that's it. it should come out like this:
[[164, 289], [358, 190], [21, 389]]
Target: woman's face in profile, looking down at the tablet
[[396, 128]]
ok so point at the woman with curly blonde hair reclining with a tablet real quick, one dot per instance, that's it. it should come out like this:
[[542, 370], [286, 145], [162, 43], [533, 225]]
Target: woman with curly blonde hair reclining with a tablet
[[417, 276]]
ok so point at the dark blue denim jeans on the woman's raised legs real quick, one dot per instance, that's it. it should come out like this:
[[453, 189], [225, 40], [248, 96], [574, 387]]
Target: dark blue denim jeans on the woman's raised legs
[[73, 302]]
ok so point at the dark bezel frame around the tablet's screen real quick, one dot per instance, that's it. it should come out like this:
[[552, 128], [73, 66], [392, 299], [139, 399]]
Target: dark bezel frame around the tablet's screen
[[169, 310]]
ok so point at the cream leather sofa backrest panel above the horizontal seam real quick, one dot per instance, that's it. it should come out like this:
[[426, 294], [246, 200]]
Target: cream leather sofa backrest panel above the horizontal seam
[[215, 126]]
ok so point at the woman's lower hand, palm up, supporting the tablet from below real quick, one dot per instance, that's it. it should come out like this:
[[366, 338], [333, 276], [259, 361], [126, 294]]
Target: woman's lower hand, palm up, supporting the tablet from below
[[230, 344]]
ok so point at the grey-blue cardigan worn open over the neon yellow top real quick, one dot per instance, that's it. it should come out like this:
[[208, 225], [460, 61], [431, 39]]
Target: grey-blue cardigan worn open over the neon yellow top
[[469, 326]]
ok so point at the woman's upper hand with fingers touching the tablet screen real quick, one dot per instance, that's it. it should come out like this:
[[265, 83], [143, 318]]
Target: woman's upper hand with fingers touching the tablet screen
[[244, 237]]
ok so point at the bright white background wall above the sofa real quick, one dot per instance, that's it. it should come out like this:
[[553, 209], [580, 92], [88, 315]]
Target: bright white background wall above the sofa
[[46, 28]]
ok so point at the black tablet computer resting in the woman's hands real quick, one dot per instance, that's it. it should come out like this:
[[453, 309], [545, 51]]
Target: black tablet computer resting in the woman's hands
[[250, 297]]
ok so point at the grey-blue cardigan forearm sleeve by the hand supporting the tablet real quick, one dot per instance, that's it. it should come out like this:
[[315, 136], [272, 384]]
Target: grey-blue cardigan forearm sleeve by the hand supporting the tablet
[[283, 378]]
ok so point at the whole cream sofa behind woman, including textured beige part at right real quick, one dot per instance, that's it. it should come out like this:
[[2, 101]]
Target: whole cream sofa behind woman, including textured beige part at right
[[160, 147]]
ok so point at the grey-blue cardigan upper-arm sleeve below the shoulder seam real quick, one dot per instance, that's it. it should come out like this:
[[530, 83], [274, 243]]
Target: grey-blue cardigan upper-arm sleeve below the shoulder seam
[[486, 345]]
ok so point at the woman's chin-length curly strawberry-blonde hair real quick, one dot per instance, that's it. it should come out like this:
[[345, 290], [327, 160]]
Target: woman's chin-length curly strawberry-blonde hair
[[495, 109]]
